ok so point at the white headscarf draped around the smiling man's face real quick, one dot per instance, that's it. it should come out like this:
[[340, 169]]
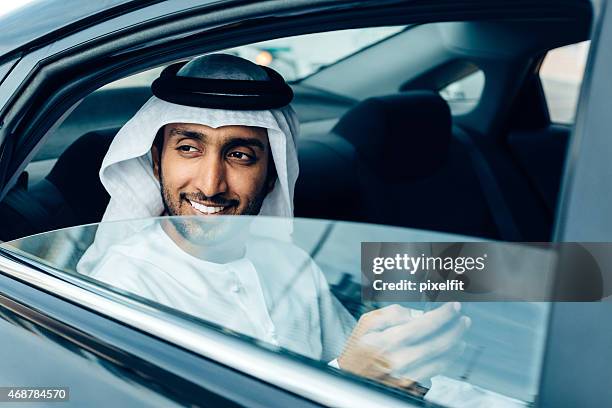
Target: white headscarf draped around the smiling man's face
[[127, 168]]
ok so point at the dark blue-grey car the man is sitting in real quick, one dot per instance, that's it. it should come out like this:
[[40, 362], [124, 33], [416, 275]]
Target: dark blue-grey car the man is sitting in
[[422, 122]]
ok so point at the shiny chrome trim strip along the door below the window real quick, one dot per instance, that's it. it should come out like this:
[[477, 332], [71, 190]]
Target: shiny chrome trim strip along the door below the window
[[273, 368]]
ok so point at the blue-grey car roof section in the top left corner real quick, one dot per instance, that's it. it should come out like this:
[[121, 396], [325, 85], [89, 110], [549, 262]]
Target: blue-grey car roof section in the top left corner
[[48, 17]]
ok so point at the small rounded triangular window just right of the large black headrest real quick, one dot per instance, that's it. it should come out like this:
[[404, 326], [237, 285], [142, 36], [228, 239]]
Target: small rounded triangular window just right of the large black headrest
[[463, 95]]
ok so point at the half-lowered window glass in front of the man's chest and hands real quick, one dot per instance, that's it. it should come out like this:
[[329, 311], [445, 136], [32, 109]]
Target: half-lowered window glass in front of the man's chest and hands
[[300, 294]]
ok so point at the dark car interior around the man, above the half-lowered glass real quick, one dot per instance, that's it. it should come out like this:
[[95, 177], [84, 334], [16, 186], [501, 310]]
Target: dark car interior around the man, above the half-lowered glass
[[378, 140]]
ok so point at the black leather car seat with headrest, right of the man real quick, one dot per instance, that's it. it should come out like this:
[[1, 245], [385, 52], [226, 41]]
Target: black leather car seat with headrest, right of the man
[[407, 169]]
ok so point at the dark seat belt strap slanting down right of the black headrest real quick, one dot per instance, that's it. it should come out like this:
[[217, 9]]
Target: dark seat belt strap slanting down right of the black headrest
[[502, 216]]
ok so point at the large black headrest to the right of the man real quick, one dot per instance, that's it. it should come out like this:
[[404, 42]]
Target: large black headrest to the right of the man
[[401, 136]]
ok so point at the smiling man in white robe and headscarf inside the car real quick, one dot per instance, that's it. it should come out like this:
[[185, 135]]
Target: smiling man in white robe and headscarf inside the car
[[218, 138]]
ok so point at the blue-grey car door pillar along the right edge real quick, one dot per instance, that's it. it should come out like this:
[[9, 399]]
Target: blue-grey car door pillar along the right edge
[[576, 368]]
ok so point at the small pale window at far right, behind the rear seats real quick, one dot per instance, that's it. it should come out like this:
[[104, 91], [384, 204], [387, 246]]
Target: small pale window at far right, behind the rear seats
[[561, 75]]
